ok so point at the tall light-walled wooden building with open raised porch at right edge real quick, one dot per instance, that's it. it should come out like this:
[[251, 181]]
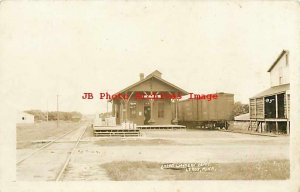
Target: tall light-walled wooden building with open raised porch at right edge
[[270, 109]]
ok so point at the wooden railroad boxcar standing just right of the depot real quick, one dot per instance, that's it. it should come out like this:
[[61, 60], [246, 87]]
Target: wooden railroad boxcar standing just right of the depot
[[206, 114]]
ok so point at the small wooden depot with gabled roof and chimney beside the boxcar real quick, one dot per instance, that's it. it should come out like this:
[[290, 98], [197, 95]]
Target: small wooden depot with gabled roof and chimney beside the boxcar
[[147, 111]]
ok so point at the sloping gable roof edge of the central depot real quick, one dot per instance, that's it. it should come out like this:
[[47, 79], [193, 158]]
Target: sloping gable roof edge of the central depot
[[157, 75]]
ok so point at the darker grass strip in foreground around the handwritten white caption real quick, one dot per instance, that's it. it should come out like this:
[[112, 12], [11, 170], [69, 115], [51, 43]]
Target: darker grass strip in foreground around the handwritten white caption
[[144, 170]]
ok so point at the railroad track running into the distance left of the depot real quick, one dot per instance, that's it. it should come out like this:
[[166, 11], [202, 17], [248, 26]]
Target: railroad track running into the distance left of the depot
[[29, 162]]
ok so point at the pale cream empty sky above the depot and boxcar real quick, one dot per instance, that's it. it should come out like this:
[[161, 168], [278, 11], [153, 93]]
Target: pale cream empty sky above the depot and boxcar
[[69, 48]]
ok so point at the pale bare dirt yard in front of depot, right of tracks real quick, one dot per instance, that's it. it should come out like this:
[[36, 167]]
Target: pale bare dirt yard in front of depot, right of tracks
[[190, 146]]
